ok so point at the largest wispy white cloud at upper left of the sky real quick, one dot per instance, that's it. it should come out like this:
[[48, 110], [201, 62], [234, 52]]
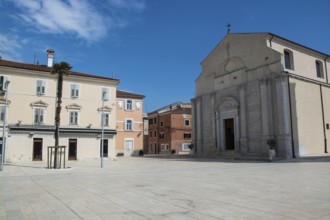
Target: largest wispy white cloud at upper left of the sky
[[86, 19]]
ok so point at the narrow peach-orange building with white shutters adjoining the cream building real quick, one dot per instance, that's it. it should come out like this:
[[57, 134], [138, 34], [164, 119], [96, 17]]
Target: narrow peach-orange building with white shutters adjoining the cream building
[[129, 125]]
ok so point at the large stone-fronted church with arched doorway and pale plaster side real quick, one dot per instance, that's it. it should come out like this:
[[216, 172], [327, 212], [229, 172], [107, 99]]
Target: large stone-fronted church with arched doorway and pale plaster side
[[260, 86]]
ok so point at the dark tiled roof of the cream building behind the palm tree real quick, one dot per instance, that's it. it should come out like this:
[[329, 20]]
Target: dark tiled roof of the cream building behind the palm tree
[[44, 68]]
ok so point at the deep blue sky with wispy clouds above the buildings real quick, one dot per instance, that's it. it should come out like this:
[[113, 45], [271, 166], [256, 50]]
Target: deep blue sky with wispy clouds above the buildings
[[153, 46]]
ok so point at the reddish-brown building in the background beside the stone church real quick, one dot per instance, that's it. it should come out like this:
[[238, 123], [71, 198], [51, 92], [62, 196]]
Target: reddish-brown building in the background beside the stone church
[[170, 129]]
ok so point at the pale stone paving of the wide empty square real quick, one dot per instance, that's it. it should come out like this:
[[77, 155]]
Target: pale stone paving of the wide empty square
[[167, 188]]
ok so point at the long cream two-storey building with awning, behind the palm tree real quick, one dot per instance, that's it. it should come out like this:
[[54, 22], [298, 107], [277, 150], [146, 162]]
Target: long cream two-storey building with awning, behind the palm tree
[[31, 112]]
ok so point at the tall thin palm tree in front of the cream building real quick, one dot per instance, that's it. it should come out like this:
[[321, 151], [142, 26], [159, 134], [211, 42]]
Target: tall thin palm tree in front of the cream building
[[61, 69]]
